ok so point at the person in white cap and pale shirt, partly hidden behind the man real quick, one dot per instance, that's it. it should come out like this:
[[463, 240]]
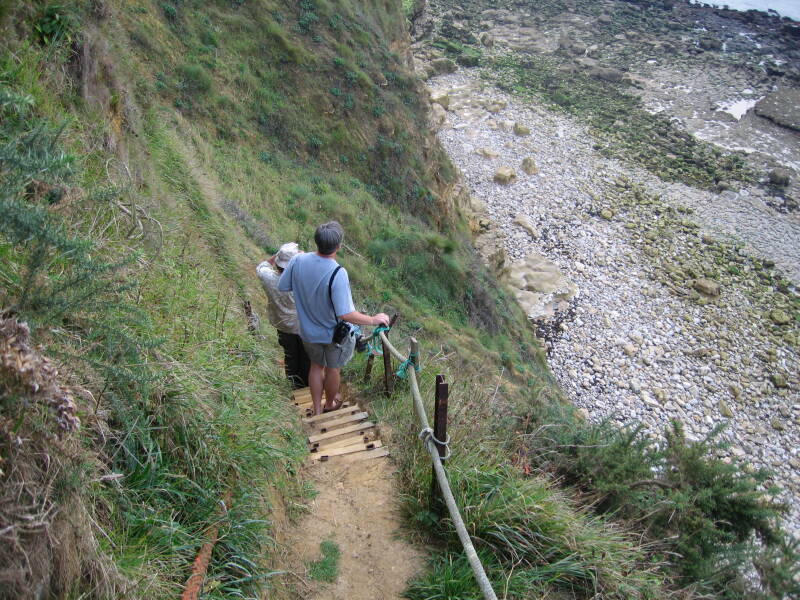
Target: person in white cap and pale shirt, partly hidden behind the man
[[283, 315]]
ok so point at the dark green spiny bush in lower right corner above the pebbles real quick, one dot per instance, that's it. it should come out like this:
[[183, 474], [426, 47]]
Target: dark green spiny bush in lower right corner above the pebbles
[[703, 512]]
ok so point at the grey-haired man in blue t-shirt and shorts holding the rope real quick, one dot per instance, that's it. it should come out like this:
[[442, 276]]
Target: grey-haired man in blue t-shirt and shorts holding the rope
[[321, 300]]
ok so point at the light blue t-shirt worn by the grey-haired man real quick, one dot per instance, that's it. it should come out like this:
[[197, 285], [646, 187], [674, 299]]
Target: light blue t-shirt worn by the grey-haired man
[[307, 275]]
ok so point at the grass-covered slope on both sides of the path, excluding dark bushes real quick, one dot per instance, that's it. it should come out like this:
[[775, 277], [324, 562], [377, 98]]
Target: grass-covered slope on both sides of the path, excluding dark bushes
[[243, 125]]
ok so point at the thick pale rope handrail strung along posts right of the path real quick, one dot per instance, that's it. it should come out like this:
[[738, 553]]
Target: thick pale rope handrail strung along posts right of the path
[[441, 475]]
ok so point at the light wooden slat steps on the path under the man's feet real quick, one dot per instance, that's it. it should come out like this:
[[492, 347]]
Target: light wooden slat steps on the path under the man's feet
[[342, 436]]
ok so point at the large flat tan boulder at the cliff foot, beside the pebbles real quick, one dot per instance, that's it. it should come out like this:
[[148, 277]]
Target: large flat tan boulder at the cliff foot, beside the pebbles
[[538, 285]]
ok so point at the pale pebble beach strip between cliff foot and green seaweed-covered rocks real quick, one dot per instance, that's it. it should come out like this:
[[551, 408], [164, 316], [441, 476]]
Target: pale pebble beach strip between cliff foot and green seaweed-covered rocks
[[636, 346]]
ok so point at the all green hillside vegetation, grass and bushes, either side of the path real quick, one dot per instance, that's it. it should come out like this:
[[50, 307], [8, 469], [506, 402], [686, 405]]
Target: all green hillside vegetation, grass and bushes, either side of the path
[[151, 154]]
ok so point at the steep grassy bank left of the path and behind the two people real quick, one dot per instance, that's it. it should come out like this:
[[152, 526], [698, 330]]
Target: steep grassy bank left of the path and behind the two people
[[153, 153]]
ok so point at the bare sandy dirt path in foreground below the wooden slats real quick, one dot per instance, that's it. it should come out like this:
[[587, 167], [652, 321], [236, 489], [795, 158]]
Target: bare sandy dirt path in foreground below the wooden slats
[[356, 508]]
